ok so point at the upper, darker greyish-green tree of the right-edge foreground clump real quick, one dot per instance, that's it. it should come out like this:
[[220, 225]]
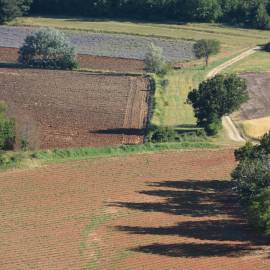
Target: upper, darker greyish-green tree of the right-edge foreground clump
[[253, 171]]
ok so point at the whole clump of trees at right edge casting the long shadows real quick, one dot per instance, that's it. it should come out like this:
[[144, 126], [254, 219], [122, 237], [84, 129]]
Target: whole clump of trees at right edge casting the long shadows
[[251, 180]]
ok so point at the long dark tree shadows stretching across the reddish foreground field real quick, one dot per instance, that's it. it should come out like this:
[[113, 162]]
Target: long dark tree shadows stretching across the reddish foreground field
[[217, 217]]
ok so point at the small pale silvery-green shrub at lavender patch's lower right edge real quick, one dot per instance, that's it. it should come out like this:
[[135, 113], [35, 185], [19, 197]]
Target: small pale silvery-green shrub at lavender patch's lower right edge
[[155, 61]]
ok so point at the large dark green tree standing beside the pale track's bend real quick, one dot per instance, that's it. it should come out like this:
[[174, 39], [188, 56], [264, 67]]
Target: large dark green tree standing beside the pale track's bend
[[216, 98]]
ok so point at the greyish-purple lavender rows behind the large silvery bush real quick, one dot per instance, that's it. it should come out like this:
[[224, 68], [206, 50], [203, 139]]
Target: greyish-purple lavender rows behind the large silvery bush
[[102, 44]]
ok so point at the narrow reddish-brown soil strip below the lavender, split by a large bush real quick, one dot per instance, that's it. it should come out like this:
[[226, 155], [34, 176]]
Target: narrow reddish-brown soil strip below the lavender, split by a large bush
[[10, 55]]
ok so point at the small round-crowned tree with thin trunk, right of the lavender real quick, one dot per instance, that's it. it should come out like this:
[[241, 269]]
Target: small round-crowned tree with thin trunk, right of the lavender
[[204, 48]]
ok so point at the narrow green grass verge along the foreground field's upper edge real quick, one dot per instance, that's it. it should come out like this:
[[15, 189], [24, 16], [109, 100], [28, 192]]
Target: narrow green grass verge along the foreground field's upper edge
[[30, 159]]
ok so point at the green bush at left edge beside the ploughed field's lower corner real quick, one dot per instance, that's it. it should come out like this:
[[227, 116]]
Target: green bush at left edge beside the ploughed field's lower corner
[[7, 129]]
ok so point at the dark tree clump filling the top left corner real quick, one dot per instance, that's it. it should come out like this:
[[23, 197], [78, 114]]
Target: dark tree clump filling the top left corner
[[10, 9]]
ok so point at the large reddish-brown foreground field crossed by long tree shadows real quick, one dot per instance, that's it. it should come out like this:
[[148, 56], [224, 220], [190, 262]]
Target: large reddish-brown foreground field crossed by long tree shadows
[[167, 211]]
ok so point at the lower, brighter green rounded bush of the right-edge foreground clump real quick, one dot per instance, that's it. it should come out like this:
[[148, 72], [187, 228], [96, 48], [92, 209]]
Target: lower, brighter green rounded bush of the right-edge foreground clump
[[259, 212]]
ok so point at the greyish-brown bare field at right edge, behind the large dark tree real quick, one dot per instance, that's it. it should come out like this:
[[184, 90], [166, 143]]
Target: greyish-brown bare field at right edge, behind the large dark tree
[[259, 104]]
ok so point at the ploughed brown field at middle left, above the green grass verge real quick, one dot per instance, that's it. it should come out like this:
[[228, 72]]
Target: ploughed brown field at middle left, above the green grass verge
[[72, 109]]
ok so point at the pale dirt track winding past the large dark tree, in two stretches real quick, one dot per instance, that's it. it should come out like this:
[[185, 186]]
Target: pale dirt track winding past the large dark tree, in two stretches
[[227, 122]]
